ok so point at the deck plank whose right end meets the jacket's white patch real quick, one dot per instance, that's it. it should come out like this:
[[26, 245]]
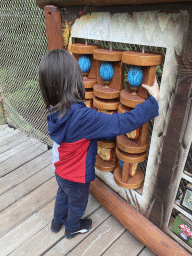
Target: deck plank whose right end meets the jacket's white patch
[[25, 171]]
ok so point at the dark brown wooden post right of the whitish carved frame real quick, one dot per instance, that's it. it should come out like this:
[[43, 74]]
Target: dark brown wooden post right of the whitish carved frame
[[173, 137]]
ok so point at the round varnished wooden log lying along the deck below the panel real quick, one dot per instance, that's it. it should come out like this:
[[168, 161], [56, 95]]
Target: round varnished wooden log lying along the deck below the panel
[[139, 226]]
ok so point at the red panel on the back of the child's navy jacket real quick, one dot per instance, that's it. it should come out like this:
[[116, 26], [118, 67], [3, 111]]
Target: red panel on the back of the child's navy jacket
[[72, 160]]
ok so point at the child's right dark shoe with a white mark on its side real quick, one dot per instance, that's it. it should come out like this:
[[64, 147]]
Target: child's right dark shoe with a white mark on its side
[[86, 224]]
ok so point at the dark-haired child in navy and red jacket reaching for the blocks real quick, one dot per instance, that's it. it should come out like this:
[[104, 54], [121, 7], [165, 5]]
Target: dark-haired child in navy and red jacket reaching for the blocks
[[75, 129]]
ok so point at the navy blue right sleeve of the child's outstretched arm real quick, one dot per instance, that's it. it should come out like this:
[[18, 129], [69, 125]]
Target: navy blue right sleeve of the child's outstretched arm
[[95, 125]]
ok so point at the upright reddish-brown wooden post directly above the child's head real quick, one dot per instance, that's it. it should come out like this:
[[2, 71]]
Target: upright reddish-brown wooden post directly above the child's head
[[53, 27]]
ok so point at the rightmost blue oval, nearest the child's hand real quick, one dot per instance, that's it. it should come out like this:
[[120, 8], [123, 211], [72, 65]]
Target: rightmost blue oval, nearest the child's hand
[[135, 76]]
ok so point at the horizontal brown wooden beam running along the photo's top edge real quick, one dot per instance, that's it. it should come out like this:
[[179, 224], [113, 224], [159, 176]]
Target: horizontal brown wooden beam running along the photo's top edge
[[64, 3]]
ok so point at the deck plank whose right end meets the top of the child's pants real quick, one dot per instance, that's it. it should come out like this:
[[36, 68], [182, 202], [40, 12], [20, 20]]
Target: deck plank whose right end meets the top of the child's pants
[[26, 206]]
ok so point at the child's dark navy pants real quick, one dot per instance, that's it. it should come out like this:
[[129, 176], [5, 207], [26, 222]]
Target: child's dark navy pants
[[71, 202]]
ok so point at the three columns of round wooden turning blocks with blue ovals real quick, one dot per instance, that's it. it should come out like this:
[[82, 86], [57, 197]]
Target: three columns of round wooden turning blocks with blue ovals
[[103, 71]]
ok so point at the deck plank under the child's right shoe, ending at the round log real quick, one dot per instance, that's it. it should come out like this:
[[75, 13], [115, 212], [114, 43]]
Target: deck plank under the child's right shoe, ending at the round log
[[64, 246]]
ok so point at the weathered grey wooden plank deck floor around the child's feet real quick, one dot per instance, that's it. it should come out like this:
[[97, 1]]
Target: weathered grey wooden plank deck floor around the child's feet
[[27, 193]]
